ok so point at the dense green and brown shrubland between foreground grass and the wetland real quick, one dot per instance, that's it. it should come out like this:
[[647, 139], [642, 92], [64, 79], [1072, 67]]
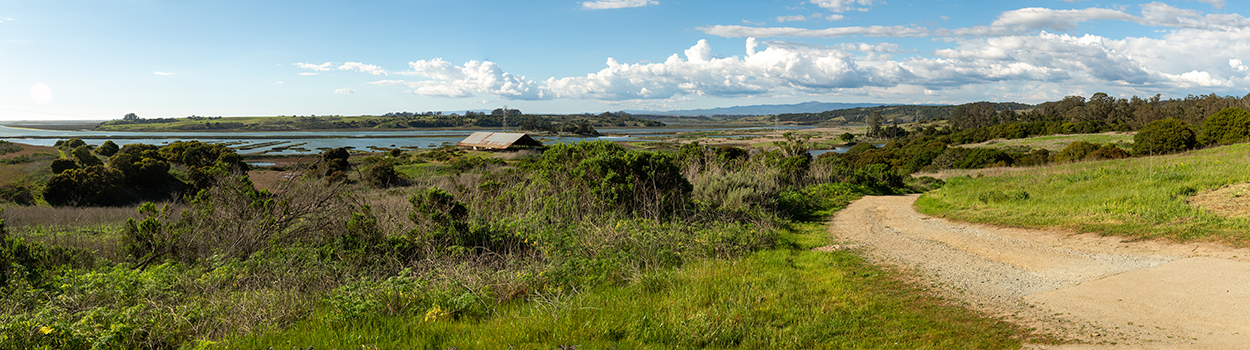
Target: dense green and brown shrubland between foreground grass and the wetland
[[458, 244]]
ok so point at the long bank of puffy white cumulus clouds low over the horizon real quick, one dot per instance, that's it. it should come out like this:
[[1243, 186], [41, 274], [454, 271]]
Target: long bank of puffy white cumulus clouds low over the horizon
[[1029, 67]]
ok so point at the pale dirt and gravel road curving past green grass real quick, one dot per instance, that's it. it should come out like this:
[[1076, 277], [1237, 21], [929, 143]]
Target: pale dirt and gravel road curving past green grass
[[1104, 293]]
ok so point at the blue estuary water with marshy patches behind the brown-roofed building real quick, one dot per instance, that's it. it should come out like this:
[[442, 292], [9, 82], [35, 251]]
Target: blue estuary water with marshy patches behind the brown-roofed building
[[293, 143]]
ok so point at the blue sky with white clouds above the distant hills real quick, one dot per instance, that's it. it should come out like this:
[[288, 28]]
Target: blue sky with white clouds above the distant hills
[[102, 59]]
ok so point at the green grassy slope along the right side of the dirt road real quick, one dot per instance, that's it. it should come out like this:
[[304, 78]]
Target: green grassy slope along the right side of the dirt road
[[1137, 198]]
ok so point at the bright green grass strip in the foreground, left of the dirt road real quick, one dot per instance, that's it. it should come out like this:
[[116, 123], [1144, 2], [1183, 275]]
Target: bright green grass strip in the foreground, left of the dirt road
[[788, 298]]
